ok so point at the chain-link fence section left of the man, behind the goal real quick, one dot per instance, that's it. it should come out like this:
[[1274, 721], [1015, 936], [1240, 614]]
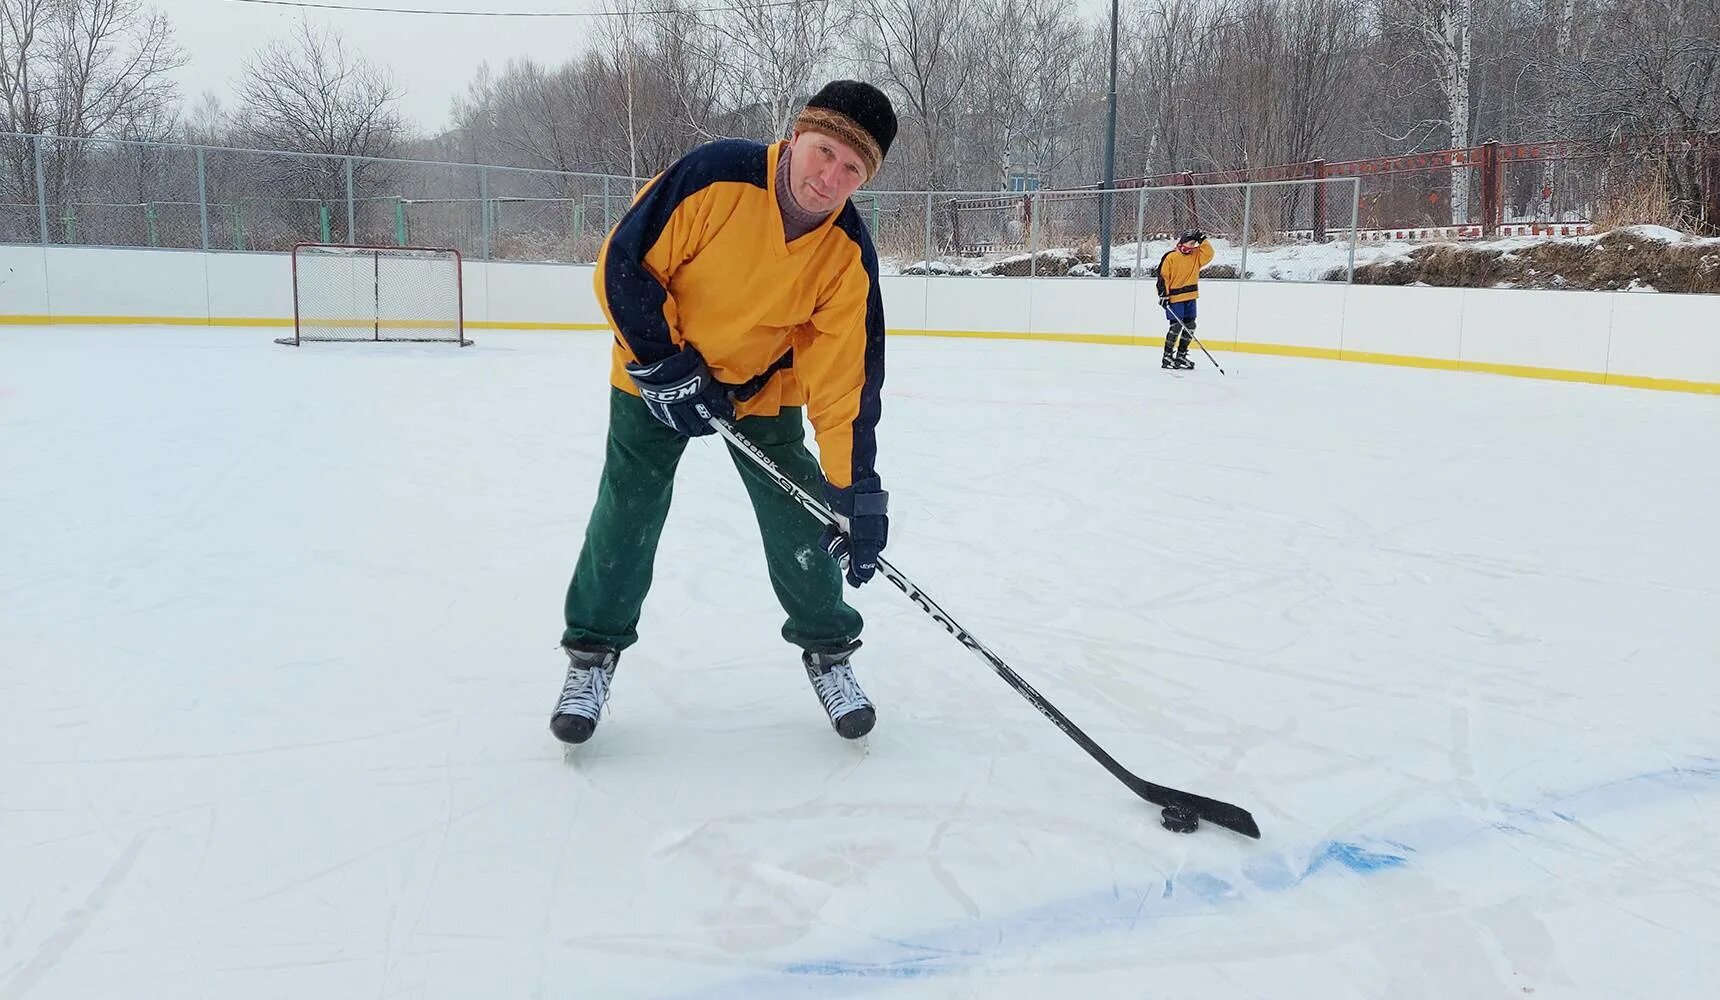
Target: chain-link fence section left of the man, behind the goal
[[171, 195]]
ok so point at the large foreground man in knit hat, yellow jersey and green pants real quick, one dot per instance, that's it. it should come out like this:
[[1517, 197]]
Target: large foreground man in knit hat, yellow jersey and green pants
[[742, 285]]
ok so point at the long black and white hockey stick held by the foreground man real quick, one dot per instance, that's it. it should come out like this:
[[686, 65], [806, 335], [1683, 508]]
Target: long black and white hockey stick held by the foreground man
[[1182, 812]]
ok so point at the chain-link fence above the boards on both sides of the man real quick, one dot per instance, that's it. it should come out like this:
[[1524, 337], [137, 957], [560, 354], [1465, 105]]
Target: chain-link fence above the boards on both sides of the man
[[169, 195]]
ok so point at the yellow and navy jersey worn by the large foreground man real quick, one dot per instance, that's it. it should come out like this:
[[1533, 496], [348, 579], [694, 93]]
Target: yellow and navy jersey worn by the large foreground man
[[701, 259]]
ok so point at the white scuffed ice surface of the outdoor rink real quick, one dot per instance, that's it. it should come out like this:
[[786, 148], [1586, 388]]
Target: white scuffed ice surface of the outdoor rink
[[278, 653]]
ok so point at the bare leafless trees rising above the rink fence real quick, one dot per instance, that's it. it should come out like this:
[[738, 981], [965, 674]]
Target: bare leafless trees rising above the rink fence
[[986, 90]]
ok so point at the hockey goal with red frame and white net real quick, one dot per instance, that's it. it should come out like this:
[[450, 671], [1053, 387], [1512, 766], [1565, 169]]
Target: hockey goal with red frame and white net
[[376, 293]]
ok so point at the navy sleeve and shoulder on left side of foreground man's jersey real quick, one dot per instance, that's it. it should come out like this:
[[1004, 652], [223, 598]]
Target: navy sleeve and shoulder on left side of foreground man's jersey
[[634, 293]]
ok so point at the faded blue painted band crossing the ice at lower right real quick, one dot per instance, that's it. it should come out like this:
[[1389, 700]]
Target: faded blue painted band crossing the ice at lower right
[[978, 946]]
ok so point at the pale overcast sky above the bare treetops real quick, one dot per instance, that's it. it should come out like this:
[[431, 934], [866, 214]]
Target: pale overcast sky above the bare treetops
[[431, 58]]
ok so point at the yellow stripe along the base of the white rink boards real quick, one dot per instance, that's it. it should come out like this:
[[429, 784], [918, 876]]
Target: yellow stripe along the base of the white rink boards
[[1158, 342]]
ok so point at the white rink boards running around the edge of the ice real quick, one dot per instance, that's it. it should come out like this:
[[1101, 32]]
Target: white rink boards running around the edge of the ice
[[1631, 335]]
